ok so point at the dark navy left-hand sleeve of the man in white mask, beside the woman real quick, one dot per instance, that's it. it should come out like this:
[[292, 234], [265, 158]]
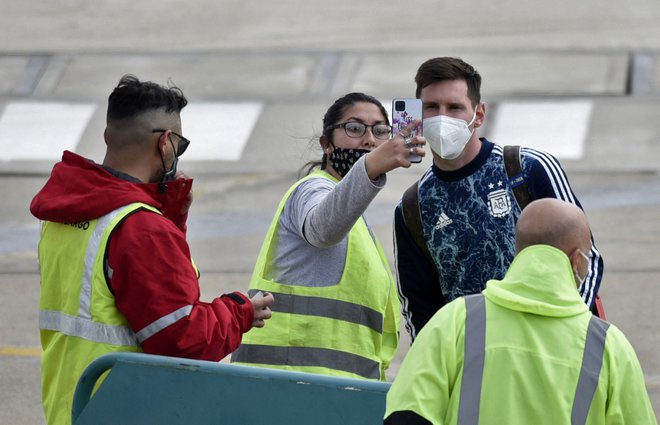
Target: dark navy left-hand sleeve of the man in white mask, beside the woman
[[418, 286]]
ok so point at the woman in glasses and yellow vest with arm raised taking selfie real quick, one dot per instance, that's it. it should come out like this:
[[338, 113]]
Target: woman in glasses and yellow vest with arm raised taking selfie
[[336, 308]]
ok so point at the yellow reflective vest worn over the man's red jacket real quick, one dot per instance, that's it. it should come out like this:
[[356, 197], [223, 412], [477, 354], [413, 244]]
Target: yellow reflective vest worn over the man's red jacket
[[78, 319]]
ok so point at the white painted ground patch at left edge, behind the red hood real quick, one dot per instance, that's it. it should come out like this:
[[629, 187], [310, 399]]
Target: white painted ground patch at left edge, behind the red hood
[[31, 130]]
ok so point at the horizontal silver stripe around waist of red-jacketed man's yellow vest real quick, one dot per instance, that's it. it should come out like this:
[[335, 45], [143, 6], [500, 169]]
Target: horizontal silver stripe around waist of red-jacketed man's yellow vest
[[87, 329]]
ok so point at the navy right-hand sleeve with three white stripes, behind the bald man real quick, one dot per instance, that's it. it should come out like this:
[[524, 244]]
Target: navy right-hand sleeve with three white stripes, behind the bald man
[[546, 178]]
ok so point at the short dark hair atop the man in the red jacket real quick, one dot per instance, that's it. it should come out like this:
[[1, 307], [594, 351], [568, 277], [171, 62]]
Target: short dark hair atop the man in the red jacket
[[133, 97]]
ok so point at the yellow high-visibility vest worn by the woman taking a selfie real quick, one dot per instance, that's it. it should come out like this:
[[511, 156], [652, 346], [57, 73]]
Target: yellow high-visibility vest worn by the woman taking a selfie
[[349, 329]]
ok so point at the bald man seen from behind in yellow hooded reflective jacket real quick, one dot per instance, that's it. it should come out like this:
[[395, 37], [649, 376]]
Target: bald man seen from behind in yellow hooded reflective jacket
[[526, 350]]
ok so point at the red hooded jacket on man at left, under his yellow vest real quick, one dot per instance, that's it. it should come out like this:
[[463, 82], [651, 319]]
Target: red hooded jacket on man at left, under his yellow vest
[[150, 258]]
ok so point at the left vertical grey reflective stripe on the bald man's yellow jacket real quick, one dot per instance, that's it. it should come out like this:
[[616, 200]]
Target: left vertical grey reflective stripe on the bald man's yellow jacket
[[473, 364]]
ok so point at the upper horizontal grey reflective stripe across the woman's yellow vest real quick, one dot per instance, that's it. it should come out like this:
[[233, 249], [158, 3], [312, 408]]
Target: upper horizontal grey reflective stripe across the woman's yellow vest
[[325, 307]]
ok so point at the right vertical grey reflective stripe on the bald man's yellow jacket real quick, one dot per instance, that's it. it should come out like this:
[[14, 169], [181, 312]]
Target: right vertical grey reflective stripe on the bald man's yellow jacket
[[592, 361]]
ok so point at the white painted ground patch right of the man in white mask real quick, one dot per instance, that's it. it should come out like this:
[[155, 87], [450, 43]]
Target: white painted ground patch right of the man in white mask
[[559, 128]]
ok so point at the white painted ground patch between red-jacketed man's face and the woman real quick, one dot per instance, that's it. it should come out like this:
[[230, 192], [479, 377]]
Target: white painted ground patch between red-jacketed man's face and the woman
[[218, 131]]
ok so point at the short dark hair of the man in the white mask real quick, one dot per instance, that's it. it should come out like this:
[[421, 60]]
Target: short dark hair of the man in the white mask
[[448, 68]]
